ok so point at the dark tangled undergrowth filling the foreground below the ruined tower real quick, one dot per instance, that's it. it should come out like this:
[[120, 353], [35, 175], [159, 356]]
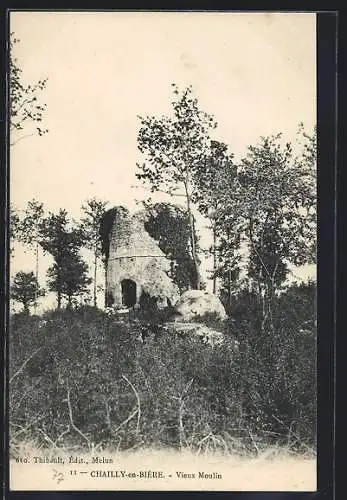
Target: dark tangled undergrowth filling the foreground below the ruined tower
[[92, 379]]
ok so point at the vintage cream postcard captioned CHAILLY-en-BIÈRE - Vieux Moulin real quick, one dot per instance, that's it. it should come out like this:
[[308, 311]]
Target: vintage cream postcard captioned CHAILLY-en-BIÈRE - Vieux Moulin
[[163, 188]]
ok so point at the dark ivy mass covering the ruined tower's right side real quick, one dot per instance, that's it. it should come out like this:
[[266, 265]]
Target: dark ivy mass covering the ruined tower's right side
[[168, 224]]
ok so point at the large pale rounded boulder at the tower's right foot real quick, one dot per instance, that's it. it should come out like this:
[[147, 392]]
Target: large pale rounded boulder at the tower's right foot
[[195, 304]]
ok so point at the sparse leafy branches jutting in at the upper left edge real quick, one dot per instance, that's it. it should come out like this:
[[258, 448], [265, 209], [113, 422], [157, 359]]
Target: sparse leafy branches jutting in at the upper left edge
[[25, 110]]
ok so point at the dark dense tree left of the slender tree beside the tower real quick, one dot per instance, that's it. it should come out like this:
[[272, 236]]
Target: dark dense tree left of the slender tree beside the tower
[[63, 240]]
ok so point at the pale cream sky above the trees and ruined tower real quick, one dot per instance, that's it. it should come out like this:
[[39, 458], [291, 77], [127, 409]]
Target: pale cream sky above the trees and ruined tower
[[256, 73]]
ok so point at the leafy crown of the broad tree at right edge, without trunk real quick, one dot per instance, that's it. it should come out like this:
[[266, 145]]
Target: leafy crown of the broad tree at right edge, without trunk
[[281, 195]]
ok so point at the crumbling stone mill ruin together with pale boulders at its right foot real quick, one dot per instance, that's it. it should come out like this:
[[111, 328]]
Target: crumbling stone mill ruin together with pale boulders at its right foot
[[137, 276]]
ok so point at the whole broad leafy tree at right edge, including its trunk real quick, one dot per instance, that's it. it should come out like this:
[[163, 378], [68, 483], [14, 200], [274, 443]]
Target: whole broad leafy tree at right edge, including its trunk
[[273, 206]]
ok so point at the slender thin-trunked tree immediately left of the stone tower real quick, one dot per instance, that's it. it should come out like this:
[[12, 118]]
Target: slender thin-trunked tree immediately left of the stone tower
[[93, 211]]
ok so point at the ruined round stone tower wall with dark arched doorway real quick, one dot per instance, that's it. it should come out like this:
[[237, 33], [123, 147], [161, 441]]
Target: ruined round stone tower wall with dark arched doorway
[[136, 270]]
